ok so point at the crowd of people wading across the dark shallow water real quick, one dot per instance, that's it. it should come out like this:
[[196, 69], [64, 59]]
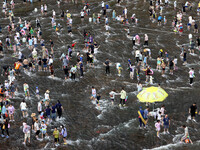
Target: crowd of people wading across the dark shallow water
[[21, 33]]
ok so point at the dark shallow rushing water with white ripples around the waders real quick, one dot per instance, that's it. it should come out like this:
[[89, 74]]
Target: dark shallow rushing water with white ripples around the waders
[[108, 127]]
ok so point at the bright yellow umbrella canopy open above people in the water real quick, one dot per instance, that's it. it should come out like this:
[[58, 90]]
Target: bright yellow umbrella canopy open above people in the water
[[152, 94]]
